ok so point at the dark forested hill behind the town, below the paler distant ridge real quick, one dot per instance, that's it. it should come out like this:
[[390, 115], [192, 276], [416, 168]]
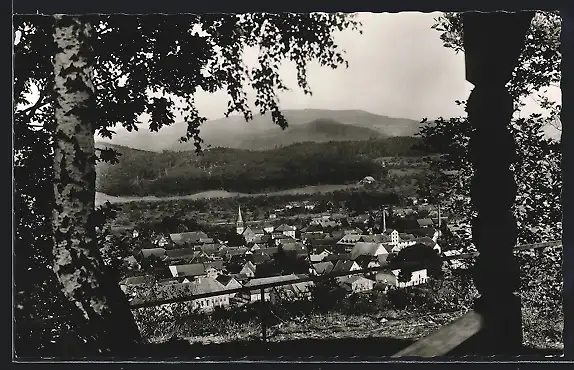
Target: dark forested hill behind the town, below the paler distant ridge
[[142, 173]]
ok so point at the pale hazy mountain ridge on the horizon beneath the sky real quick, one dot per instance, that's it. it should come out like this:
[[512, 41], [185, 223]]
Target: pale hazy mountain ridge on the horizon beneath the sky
[[306, 125]]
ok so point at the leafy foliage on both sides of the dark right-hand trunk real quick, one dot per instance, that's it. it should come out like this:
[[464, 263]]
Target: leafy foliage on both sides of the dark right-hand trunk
[[537, 171]]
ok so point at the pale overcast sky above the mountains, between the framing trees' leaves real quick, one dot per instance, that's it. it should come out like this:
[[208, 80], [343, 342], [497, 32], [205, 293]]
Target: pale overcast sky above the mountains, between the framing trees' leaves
[[397, 67]]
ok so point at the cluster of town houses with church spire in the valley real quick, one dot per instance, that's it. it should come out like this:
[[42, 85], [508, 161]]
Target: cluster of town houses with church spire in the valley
[[198, 264]]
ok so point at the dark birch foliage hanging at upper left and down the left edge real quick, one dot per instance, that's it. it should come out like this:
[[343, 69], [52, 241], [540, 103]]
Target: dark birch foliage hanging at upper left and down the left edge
[[148, 69]]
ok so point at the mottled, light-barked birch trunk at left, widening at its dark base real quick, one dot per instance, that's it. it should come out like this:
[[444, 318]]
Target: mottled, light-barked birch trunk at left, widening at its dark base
[[104, 321]]
